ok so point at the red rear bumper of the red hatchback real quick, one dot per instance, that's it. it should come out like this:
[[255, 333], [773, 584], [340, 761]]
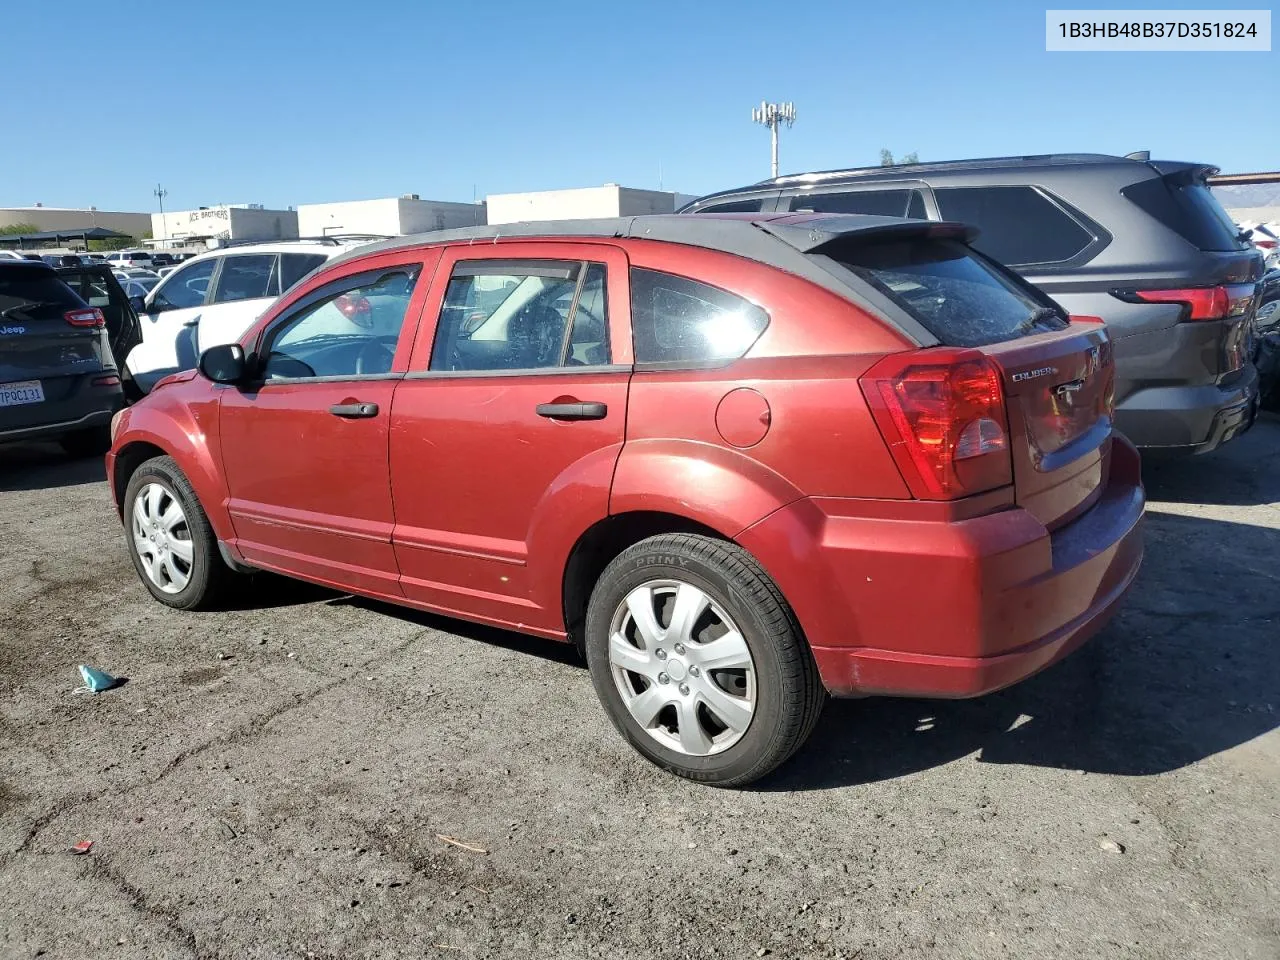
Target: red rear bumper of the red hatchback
[[962, 609]]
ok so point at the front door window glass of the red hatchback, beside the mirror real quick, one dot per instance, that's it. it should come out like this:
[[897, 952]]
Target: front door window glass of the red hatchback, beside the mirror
[[350, 332]]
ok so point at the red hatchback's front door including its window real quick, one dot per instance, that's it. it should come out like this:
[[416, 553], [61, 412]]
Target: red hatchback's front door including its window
[[305, 445]]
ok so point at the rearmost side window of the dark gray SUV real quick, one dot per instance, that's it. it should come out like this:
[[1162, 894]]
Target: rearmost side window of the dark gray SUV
[[1020, 225]]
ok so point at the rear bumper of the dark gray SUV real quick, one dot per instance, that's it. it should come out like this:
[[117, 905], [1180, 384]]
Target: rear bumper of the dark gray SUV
[[1185, 419]]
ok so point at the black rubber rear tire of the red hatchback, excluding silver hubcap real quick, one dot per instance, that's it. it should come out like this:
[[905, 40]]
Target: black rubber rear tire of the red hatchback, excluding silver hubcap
[[789, 693]]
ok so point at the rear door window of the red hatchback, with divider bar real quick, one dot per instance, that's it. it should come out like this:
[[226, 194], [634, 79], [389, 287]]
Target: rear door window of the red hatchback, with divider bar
[[523, 316]]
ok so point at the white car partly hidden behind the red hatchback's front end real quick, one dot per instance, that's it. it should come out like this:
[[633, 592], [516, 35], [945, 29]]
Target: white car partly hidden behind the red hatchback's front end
[[216, 298]]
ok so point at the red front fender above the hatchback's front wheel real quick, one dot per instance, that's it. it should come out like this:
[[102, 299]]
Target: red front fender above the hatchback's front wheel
[[182, 420]]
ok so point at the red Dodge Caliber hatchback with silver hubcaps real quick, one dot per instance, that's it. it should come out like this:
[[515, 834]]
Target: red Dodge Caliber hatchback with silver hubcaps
[[742, 460]]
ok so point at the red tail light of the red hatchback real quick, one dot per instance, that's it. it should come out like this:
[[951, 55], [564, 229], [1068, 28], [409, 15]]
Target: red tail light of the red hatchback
[[943, 414]]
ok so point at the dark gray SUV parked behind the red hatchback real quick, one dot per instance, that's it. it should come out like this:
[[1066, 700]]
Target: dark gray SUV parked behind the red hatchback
[[1141, 244]]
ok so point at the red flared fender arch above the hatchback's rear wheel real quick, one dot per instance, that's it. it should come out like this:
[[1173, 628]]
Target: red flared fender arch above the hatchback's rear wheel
[[716, 487]]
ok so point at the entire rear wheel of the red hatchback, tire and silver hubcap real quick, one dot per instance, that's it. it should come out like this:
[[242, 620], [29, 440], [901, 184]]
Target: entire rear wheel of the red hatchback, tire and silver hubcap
[[700, 661]]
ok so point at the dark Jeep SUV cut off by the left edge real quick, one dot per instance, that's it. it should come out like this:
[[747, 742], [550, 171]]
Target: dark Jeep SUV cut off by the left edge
[[58, 378]]
